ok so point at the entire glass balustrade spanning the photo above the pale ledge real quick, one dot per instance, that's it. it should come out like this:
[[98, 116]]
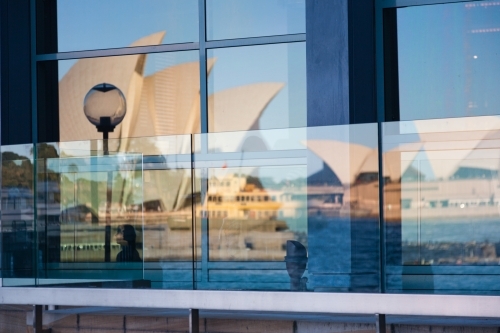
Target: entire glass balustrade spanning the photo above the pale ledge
[[287, 209]]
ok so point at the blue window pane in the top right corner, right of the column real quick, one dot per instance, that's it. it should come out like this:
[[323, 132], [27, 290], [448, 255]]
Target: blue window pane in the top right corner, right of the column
[[448, 67]]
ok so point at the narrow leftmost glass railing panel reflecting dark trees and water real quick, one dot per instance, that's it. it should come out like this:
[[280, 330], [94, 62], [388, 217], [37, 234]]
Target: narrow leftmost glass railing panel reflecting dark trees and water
[[18, 229]]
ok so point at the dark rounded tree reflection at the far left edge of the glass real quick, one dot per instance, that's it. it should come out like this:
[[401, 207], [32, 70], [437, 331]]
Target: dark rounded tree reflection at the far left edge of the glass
[[17, 171]]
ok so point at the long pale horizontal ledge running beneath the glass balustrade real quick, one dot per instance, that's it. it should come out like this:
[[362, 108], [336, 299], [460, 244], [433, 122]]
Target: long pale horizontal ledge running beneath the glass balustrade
[[338, 303]]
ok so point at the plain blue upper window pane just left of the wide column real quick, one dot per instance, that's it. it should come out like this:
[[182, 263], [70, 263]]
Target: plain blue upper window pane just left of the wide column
[[228, 19]]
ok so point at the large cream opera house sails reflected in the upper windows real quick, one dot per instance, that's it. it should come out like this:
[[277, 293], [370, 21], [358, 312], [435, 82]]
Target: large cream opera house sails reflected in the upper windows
[[149, 113]]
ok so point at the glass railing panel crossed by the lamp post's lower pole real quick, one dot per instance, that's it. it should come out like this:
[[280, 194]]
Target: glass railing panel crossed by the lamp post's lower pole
[[77, 183]]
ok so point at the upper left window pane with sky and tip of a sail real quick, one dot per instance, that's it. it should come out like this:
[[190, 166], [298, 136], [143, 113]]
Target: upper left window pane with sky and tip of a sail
[[96, 24]]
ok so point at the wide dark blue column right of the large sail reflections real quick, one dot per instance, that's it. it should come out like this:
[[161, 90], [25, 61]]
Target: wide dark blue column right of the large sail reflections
[[343, 251]]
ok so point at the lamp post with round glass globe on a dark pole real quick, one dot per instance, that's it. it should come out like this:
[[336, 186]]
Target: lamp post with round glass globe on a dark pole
[[105, 107]]
